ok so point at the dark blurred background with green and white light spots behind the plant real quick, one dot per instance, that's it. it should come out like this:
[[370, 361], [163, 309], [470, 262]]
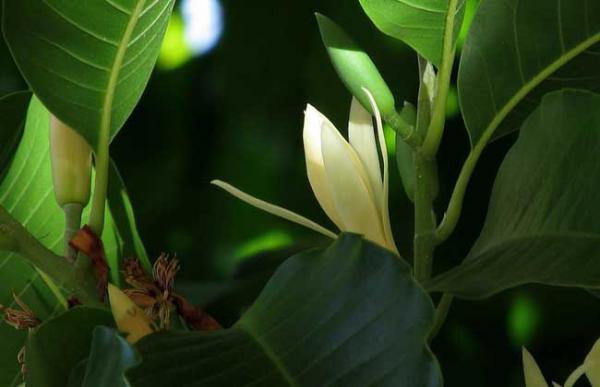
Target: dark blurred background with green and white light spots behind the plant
[[227, 100]]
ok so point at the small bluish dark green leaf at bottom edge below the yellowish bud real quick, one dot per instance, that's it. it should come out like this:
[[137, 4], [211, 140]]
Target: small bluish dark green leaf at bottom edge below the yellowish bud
[[110, 356]]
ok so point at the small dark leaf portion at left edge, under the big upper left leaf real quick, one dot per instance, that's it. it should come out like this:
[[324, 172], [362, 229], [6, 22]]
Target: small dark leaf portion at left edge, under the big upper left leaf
[[13, 110]]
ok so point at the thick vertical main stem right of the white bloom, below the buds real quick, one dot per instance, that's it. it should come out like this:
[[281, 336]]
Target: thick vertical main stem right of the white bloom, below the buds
[[424, 237]]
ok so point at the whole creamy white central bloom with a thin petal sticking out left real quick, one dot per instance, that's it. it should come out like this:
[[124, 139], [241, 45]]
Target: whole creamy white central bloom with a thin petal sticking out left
[[346, 176]]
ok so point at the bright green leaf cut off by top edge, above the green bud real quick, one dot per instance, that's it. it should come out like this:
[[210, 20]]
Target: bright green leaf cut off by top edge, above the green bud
[[418, 23]]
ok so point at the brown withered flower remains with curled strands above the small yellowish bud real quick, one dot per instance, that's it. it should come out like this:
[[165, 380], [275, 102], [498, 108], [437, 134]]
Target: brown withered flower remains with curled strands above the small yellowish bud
[[156, 295]]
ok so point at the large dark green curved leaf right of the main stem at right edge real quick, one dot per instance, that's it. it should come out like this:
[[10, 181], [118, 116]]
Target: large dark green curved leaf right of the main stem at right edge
[[542, 224]]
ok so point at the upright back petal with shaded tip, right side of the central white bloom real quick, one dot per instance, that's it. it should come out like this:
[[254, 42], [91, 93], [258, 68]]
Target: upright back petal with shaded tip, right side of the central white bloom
[[361, 136]]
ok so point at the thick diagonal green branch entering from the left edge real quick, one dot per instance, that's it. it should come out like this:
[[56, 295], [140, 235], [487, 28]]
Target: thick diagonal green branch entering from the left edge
[[80, 283]]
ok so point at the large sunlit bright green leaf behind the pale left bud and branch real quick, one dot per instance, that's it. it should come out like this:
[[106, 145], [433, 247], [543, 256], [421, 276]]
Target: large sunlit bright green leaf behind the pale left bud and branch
[[27, 193]]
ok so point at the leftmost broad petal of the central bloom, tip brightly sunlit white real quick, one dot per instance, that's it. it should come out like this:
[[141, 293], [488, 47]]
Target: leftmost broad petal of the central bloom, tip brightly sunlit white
[[313, 121]]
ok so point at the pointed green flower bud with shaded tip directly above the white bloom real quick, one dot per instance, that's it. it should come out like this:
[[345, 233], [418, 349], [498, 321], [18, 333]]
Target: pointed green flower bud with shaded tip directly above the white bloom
[[357, 71]]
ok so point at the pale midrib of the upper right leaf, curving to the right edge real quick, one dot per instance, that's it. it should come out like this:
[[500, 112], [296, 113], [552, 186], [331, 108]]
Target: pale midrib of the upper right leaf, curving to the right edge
[[527, 87]]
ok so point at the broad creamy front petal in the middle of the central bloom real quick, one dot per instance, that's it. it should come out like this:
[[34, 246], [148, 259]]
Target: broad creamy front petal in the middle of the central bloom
[[349, 187]]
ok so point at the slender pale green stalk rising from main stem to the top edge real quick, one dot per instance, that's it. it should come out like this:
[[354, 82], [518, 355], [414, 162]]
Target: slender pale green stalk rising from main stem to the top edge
[[436, 127]]
